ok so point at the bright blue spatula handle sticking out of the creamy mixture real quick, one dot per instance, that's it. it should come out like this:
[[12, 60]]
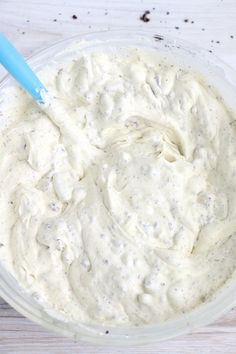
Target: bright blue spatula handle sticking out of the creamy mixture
[[15, 64]]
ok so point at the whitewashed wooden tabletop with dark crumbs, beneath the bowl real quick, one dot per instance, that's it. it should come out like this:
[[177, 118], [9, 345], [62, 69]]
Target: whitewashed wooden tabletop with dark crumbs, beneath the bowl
[[34, 24]]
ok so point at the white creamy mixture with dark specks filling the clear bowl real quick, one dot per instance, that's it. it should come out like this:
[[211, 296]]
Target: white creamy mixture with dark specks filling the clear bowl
[[118, 206]]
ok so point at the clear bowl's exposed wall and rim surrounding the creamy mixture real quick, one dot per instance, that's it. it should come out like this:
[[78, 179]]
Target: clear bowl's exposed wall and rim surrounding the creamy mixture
[[223, 78]]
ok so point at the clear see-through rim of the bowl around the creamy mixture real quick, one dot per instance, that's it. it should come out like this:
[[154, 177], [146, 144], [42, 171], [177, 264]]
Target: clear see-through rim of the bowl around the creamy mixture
[[188, 322]]
